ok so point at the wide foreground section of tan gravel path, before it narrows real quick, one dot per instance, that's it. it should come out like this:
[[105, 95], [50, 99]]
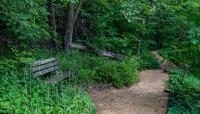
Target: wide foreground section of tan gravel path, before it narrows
[[146, 97]]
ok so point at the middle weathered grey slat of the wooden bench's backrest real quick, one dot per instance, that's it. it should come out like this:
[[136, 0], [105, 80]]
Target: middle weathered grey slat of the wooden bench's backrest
[[45, 66]]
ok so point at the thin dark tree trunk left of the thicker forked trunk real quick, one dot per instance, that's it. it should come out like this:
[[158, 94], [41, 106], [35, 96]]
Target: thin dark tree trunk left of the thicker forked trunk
[[52, 22]]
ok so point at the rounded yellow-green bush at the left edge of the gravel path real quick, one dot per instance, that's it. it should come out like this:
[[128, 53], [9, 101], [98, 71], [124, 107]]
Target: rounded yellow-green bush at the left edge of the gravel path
[[118, 73]]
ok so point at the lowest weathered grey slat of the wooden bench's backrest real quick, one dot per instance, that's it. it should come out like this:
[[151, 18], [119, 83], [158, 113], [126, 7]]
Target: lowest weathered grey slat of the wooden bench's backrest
[[42, 72]]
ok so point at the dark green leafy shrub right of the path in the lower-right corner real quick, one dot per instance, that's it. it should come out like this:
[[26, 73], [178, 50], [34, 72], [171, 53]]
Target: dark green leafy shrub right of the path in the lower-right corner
[[185, 93]]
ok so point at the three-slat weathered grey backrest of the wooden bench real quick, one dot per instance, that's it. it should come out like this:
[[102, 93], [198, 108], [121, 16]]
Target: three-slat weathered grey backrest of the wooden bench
[[42, 67]]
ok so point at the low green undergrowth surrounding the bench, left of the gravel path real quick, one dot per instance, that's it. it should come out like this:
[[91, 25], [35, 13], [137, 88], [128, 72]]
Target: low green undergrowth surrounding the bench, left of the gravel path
[[21, 94]]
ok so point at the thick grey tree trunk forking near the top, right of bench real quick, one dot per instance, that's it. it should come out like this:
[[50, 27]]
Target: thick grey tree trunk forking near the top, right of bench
[[71, 19]]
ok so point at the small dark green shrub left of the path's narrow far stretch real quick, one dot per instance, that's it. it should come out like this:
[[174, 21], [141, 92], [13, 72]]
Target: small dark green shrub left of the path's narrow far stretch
[[148, 61]]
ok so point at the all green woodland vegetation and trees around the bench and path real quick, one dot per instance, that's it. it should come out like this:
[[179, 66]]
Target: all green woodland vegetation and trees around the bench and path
[[40, 29]]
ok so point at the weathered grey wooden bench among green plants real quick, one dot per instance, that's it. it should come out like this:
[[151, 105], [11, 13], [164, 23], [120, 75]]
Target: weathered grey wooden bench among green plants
[[48, 66]]
